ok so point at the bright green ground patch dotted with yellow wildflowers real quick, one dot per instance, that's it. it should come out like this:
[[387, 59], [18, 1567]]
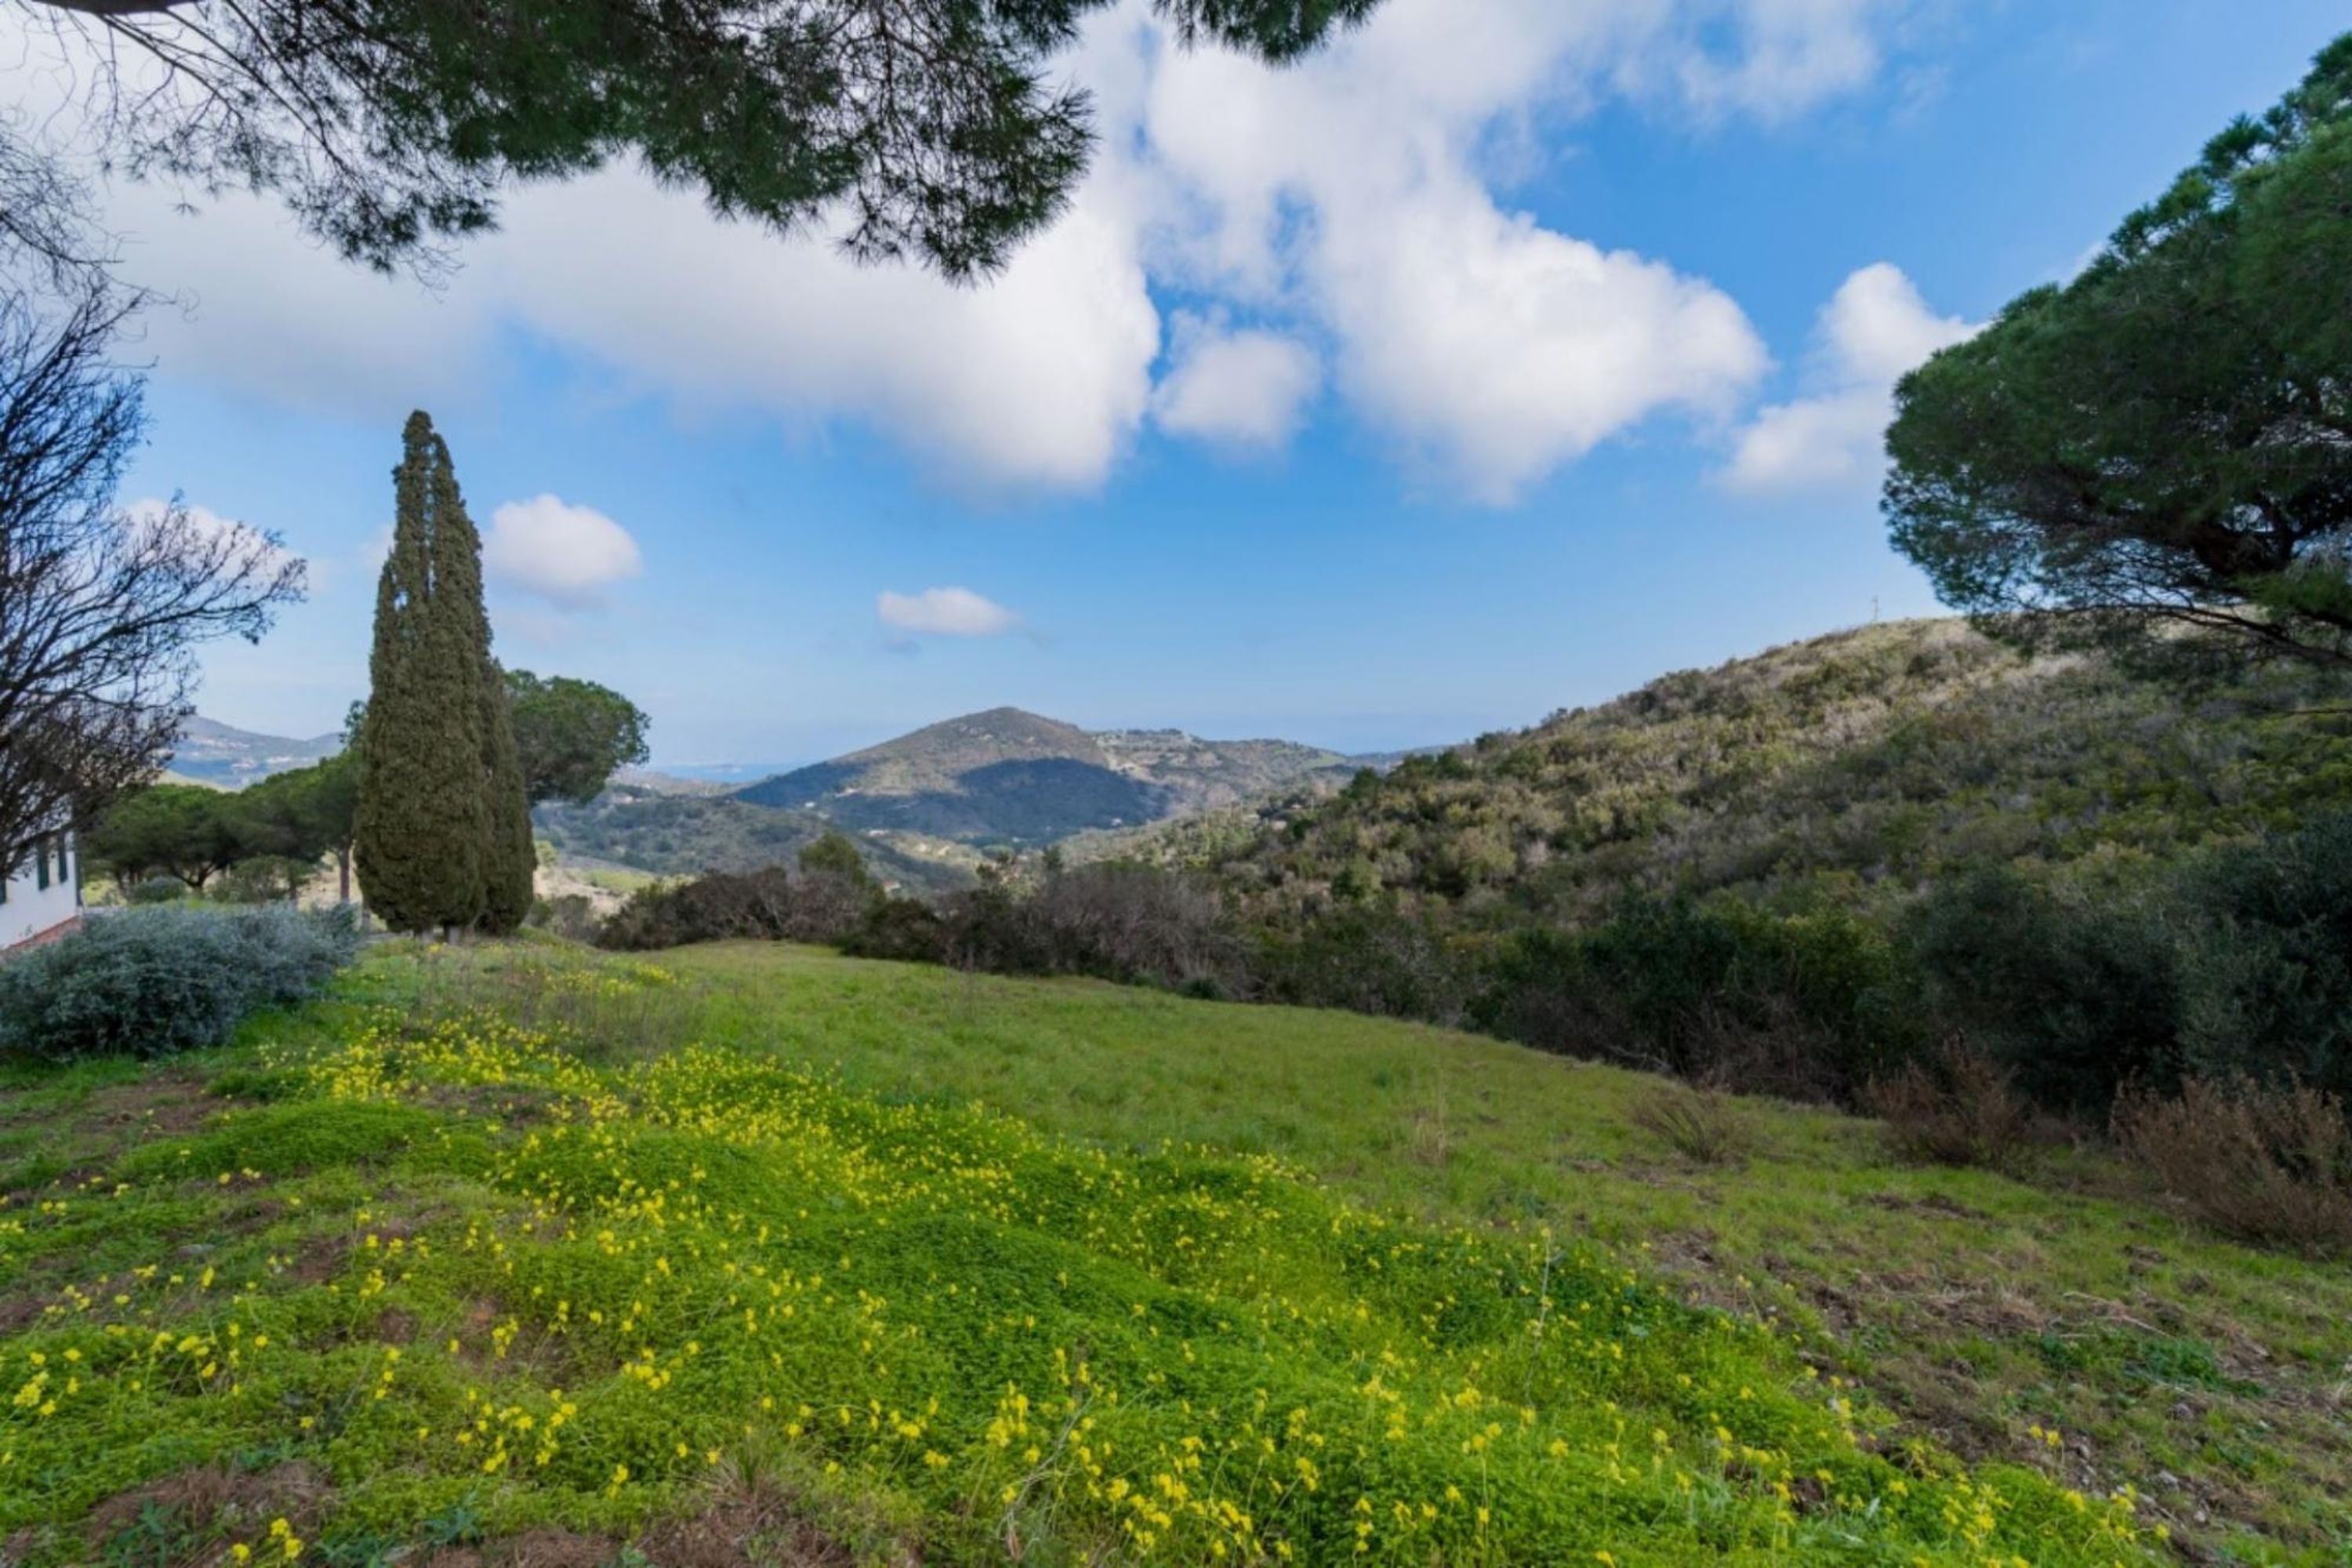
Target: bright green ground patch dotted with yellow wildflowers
[[457, 1282]]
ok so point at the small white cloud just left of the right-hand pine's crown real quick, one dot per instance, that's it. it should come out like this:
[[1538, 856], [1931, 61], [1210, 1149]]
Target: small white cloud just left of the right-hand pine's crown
[[1871, 333]]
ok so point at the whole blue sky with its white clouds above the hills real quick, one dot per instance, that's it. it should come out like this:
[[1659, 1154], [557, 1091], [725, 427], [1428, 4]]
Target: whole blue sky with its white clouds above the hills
[[1504, 359]]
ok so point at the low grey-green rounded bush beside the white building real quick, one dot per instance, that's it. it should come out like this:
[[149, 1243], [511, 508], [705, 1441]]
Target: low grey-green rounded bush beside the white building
[[163, 979]]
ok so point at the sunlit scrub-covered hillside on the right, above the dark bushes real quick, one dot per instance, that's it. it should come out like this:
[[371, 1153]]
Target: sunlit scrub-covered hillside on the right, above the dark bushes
[[1852, 768]]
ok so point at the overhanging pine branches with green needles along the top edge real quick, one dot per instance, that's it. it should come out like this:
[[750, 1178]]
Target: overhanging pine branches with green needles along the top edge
[[926, 128]]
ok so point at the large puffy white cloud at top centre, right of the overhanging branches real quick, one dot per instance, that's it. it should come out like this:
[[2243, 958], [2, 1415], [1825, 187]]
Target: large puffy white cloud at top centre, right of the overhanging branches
[[1490, 347]]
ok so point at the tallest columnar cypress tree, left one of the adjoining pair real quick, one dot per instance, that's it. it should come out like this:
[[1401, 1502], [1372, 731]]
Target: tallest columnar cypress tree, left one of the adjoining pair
[[425, 822]]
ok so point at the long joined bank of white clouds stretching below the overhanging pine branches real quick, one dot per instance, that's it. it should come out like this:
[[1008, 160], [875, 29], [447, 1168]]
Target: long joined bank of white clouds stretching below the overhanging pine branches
[[1349, 201]]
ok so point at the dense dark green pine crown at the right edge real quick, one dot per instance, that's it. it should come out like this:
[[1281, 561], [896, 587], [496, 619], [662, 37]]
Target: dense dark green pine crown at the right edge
[[2165, 436]]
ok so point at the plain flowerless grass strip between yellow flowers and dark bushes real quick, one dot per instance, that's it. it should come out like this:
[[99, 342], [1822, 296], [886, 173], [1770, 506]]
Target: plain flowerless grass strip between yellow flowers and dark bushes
[[1982, 1306]]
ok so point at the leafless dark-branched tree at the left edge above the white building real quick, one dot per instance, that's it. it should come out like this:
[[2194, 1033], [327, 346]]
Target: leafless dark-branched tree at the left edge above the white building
[[100, 610]]
